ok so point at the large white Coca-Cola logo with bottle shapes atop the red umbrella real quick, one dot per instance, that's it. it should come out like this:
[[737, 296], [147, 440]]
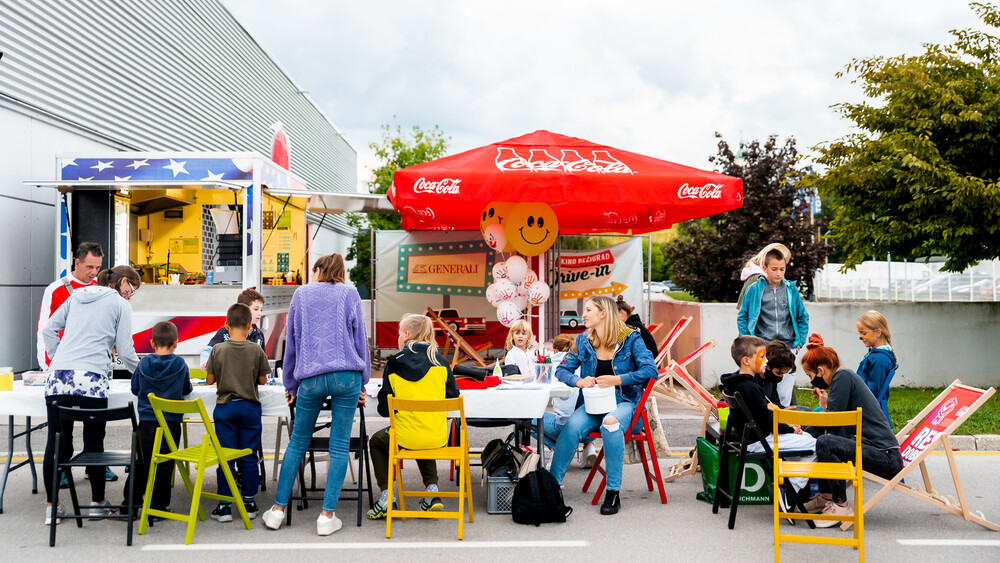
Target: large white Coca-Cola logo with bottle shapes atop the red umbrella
[[569, 161]]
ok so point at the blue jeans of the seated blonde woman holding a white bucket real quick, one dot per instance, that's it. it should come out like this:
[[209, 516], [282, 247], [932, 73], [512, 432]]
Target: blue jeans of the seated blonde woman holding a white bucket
[[576, 429]]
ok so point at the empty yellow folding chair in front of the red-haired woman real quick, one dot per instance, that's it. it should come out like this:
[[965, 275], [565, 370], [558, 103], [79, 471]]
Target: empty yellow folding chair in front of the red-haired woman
[[847, 471]]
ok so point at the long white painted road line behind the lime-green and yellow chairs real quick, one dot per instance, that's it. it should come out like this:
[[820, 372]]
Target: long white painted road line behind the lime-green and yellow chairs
[[364, 545]]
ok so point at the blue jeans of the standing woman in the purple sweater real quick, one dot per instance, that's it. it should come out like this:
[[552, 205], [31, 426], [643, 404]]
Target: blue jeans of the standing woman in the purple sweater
[[343, 388]]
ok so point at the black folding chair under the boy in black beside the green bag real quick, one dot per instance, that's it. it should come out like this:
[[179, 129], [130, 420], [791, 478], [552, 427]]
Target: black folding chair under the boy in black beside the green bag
[[729, 443]]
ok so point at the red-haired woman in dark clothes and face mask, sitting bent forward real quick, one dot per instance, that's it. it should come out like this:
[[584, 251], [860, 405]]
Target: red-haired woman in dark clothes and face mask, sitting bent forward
[[847, 391]]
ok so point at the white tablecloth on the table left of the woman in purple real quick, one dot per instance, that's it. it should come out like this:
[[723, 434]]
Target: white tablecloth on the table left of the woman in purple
[[30, 400]]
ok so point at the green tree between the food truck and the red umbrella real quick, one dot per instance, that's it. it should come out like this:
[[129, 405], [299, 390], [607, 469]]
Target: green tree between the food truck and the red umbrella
[[397, 149]]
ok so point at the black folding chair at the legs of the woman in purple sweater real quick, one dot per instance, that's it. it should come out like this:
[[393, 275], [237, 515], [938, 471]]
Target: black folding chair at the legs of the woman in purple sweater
[[320, 445]]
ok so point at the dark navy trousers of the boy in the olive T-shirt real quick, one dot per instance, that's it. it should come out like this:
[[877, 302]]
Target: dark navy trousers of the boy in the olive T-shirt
[[237, 424]]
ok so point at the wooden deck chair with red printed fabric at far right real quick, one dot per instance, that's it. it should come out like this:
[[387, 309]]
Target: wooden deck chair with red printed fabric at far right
[[922, 435]]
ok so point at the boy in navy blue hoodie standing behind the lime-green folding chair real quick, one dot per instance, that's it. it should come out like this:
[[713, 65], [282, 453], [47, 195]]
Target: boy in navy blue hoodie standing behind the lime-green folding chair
[[164, 374]]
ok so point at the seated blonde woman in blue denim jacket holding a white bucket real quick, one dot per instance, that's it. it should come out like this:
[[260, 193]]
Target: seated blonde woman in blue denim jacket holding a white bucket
[[608, 354]]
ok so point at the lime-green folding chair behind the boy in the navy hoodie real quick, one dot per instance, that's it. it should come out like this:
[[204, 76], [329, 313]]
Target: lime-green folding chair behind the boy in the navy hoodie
[[203, 456]]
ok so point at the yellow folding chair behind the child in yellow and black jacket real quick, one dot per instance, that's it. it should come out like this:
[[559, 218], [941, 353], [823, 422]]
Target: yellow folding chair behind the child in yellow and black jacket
[[459, 454]]
